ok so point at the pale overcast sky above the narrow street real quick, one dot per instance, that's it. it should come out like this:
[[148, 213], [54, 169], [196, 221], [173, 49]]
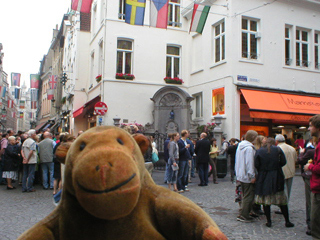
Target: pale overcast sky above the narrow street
[[26, 29]]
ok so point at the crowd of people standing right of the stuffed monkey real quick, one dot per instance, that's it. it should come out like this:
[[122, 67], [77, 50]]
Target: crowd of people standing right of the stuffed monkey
[[261, 167]]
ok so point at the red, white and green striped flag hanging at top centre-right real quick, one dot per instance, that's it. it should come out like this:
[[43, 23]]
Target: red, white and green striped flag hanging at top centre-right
[[199, 18]]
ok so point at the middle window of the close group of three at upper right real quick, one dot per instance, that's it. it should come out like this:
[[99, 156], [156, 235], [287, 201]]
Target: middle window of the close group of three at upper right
[[302, 48]]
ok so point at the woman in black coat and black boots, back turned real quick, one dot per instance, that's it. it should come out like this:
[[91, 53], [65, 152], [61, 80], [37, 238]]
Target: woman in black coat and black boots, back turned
[[269, 187]]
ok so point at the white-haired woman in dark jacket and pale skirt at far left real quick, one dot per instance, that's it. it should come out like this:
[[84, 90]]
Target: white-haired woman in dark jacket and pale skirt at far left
[[11, 162]]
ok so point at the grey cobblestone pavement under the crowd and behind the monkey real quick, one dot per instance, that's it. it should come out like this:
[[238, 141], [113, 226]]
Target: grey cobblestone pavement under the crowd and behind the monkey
[[20, 211]]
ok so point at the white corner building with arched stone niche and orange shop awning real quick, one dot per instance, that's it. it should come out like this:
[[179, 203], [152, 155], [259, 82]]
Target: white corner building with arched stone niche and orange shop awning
[[250, 55]]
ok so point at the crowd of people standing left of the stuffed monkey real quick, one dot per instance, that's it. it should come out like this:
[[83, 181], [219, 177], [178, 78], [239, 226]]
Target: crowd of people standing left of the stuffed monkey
[[30, 156]]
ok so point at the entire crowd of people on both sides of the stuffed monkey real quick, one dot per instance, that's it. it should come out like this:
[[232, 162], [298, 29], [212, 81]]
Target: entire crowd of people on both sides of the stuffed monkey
[[262, 168]]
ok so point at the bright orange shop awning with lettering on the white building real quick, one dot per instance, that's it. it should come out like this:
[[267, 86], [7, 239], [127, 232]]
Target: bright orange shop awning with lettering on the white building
[[282, 106]]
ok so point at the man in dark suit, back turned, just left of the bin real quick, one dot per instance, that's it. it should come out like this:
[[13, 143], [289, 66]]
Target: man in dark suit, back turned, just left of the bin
[[202, 151]]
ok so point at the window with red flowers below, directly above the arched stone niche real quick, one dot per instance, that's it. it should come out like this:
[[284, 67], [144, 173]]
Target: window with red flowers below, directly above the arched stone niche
[[173, 62]]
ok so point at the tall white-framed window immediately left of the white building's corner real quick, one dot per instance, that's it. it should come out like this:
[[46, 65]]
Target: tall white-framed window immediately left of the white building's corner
[[219, 42]]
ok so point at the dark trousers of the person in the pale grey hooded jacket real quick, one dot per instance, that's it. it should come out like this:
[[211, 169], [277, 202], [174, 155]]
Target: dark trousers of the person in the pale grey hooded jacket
[[247, 199]]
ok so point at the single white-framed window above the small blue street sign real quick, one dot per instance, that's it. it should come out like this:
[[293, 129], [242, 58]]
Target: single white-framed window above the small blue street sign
[[250, 36]]
